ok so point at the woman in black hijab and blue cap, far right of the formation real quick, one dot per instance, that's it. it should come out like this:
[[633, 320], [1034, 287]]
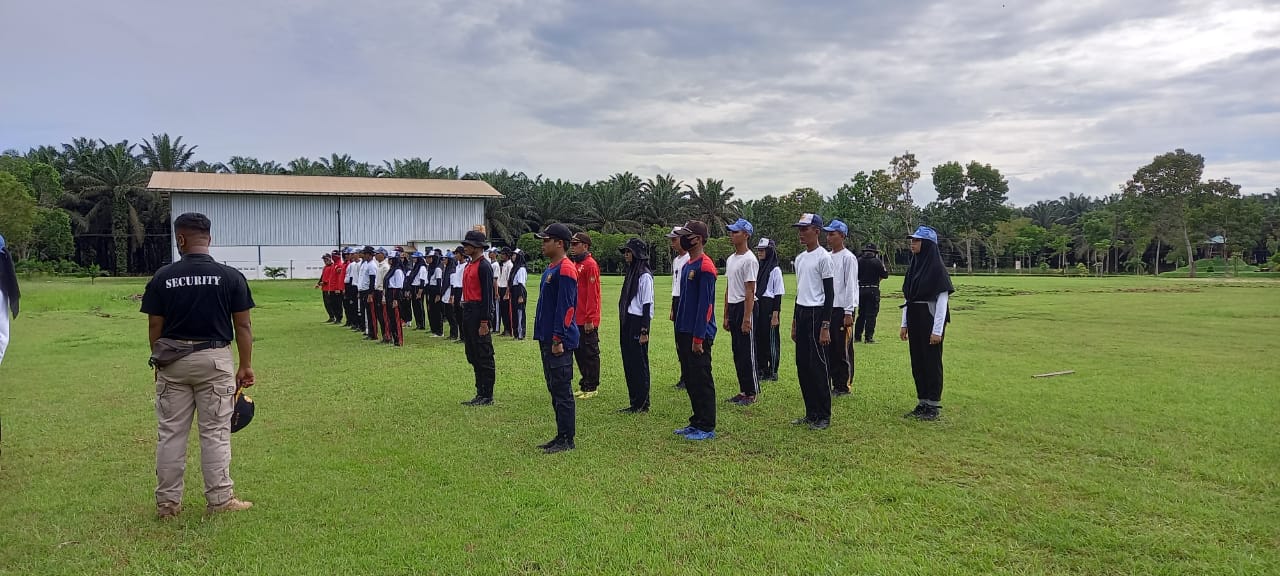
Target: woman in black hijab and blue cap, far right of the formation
[[927, 290]]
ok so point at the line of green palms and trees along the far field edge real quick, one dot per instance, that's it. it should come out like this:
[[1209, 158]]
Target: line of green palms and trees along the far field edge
[[86, 202]]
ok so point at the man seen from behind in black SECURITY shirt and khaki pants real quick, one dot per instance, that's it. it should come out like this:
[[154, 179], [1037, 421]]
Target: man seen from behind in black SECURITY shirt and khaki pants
[[198, 301]]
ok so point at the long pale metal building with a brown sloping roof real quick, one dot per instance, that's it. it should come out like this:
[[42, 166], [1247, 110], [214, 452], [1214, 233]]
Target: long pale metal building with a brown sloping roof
[[290, 221]]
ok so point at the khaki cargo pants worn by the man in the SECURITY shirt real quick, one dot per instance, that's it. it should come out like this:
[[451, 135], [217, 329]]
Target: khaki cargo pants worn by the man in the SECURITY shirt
[[202, 385]]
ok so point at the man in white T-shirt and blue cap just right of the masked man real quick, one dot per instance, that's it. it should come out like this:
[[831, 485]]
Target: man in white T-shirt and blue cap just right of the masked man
[[742, 269]]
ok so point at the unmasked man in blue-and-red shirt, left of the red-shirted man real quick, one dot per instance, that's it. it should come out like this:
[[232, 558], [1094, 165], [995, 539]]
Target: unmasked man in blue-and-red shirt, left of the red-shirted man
[[557, 333]]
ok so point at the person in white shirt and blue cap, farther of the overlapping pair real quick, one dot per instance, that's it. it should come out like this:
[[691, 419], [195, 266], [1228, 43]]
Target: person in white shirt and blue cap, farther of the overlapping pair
[[840, 353]]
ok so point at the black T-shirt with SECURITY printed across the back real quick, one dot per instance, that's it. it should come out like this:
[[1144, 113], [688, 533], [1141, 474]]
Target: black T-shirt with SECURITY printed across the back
[[198, 296]]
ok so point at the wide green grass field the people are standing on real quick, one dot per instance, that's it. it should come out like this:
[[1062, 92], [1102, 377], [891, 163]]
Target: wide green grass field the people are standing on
[[1159, 456]]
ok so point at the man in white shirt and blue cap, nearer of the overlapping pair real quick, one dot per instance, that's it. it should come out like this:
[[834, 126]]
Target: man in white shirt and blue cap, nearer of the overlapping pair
[[811, 326]]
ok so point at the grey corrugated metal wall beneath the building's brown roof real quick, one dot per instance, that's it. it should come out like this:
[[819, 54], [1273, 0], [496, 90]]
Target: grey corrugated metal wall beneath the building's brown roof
[[314, 221]]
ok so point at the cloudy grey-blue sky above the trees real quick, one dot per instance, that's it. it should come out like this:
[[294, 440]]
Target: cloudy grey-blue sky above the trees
[[1060, 95]]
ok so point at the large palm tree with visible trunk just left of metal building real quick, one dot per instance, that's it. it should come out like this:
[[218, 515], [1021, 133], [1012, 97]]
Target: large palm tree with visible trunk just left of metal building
[[109, 182]]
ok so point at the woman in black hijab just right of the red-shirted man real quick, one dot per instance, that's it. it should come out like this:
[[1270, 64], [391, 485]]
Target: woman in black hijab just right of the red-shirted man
[[636, 309]]
